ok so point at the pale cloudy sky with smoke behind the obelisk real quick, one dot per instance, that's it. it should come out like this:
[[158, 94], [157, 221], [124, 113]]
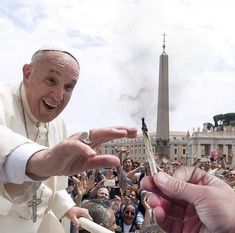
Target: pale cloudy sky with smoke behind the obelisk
[[118, 44]]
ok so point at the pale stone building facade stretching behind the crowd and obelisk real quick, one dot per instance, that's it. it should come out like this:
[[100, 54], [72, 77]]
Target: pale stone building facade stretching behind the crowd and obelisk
[[182, 145]]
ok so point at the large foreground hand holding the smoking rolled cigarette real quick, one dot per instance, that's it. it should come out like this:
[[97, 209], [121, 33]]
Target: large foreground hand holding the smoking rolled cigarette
[[191, 201]]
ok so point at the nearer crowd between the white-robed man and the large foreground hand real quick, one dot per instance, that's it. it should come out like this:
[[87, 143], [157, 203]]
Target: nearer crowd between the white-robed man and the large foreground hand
[[120, 186]]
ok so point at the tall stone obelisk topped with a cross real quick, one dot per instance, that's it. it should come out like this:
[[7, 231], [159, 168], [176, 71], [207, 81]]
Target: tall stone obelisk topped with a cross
[[162, 135]]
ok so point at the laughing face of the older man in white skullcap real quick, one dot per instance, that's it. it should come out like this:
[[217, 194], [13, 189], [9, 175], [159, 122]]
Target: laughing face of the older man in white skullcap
[[49, 82]]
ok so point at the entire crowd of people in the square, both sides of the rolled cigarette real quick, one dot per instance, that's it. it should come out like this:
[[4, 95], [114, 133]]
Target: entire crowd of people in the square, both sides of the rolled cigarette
[[120, 187]]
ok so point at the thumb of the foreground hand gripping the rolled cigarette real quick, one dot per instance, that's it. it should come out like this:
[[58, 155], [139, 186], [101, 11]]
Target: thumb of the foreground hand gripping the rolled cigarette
[[178, 189]]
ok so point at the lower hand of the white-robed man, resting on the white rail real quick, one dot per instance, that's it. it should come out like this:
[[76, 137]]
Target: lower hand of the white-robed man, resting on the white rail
[[74, 213]]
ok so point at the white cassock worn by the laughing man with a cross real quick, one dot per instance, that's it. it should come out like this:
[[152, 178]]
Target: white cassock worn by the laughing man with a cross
[[15, 210]]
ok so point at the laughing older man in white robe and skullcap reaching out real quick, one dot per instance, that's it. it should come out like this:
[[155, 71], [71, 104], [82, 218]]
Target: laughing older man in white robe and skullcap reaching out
[[35, 148]]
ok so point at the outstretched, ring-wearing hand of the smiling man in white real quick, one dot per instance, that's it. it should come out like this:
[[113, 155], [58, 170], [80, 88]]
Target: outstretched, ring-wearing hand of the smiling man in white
[[72, 156]]
